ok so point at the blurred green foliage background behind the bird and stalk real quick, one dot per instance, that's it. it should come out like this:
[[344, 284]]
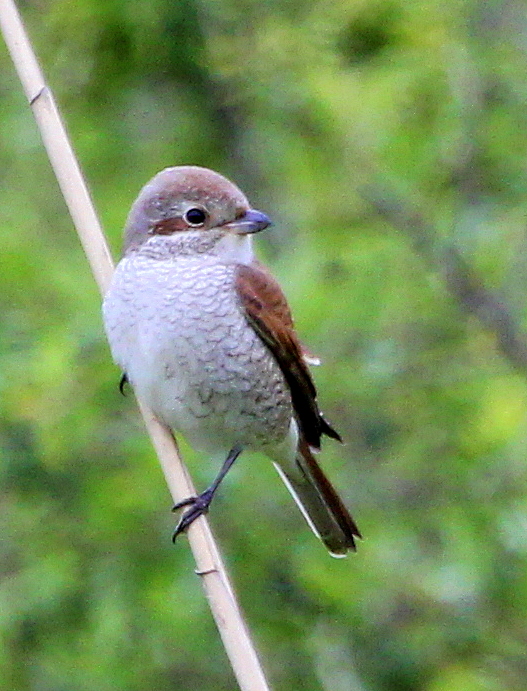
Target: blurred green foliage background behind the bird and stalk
[[316, 109]]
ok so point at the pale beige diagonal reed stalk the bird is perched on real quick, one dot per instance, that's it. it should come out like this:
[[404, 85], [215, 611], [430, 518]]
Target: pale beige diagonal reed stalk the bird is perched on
[[210, 568]]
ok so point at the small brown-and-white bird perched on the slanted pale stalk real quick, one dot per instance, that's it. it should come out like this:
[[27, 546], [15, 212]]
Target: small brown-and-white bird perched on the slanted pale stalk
[[204, 334]]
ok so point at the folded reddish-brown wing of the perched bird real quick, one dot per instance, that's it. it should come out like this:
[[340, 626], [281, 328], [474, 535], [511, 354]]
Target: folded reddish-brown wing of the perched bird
[[267, 311]]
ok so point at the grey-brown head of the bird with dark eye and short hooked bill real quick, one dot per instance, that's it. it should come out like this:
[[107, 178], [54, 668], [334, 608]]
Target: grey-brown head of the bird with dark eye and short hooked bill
[[189, 198]]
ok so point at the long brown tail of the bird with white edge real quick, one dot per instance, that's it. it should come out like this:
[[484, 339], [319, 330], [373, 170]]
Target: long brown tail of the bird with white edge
[[319, 502]]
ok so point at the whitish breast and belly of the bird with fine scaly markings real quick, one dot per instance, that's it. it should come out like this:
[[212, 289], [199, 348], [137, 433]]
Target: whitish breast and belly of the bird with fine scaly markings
[[178, 331]]
